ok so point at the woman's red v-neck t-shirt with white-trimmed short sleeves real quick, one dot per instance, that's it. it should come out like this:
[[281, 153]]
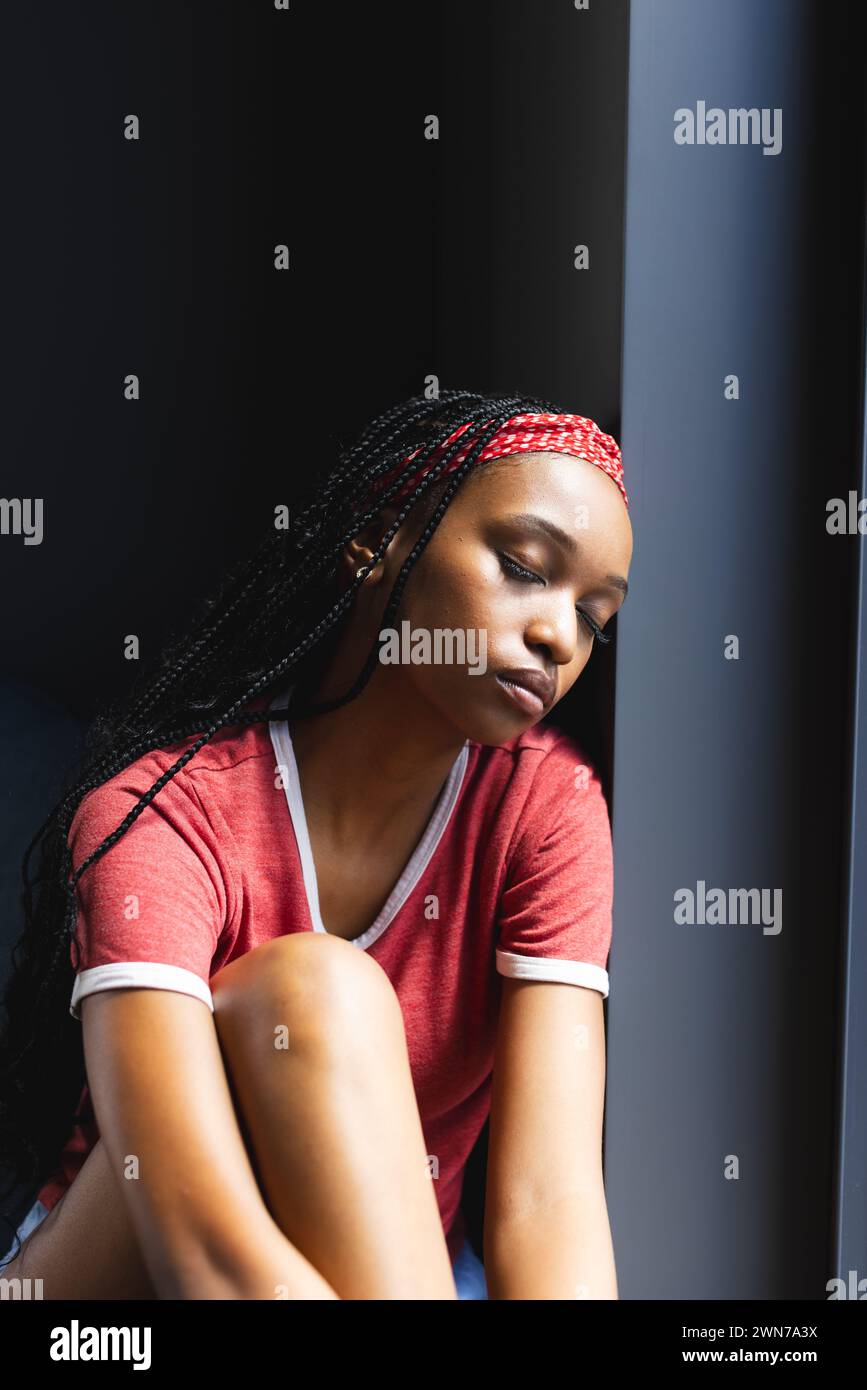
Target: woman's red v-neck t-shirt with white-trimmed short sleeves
[[513, 876]]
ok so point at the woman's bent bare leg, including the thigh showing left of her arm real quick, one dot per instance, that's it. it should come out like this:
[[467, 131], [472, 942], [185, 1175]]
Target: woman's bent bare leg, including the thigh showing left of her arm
[[356, 1128]]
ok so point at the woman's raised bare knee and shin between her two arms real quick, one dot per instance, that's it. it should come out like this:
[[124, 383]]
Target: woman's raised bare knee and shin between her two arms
[[315, 1046]]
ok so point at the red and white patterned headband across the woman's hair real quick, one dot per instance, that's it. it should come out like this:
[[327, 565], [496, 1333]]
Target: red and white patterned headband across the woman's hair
[[529, 434]]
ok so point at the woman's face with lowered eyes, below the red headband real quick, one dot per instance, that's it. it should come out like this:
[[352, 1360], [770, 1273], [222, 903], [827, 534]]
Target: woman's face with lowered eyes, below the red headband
[[495, 572]]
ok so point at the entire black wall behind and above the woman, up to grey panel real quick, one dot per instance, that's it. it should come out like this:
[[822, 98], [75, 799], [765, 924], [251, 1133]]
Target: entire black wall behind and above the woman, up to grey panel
[[408, 258]]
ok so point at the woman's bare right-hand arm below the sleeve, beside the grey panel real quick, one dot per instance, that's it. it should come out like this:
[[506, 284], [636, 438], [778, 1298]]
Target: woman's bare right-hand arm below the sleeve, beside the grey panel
[[547, 1223]]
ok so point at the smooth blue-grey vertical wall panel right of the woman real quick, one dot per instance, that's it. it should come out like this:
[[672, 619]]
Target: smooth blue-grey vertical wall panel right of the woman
[[722, 1039]]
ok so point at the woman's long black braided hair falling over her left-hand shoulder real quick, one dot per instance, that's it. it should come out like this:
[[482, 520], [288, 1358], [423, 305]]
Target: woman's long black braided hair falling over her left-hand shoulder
[[263, 622]]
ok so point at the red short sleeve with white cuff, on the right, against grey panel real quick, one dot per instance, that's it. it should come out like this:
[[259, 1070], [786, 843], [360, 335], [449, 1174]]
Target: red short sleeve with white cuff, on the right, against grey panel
[[556, 904]]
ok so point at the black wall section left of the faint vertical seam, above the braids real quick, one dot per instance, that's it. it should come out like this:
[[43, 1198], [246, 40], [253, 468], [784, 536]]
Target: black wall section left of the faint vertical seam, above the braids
[[156, 258]]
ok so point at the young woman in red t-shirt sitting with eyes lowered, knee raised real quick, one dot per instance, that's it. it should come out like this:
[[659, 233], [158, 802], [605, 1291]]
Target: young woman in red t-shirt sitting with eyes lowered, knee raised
[[309, 915]]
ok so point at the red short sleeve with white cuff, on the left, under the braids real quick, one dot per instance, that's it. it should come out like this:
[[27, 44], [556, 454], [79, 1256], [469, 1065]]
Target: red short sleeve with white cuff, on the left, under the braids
[[152, 908]]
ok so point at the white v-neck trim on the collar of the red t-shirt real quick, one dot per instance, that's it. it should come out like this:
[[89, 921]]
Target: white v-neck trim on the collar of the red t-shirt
[[418, 862]]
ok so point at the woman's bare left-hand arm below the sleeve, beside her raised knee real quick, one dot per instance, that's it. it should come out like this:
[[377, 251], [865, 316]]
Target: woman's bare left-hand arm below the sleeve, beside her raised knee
[[167, 1121]]
